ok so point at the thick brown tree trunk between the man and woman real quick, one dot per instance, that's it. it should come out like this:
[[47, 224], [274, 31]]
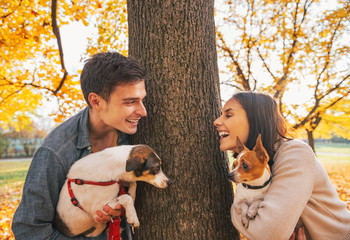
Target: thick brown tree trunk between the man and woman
[[175, 42]]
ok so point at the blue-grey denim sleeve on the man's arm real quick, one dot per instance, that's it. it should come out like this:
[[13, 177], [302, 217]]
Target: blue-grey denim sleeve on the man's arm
[[33, 218]]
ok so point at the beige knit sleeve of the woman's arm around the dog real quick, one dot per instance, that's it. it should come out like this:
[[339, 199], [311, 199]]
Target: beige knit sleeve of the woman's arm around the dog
[[294, 174]]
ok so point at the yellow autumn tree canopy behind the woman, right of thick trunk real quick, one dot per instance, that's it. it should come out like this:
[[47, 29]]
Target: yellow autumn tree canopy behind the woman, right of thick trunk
[[279, 45]]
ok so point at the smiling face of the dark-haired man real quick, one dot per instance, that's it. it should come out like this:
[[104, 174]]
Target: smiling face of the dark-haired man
[[125, 108]]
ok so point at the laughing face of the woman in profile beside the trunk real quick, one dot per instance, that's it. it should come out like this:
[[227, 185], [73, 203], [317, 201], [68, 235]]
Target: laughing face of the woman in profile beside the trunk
[[233, 122]]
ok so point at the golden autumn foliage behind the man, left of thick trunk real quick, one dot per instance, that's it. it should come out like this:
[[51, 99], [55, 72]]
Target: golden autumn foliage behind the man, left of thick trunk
[[32, 60]]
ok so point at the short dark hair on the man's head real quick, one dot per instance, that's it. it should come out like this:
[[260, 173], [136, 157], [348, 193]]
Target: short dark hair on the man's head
[[104, 71]]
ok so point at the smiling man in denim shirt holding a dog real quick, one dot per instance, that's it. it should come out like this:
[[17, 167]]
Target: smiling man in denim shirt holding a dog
[[114, 88]]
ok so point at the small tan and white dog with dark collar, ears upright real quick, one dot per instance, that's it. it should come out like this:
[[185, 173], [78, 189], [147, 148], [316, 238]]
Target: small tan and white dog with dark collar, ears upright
[[252, 175]]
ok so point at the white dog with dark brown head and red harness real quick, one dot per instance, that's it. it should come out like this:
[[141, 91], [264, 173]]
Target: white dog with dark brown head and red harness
[[127, 163]]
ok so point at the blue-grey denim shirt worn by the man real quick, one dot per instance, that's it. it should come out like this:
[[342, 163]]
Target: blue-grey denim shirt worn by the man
[[46, 175]]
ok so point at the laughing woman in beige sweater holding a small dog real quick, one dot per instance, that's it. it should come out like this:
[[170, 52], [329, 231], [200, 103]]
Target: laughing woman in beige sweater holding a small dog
[[300, 187]]
